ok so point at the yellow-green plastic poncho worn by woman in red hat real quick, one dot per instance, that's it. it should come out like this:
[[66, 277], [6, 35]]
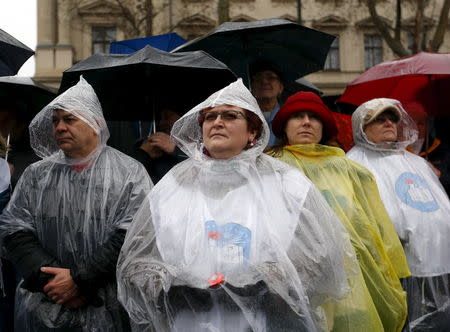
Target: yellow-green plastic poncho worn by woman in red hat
[[377, 301]]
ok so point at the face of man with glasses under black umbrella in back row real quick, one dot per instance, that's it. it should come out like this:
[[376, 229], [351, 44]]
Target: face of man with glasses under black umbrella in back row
[[266, 85]]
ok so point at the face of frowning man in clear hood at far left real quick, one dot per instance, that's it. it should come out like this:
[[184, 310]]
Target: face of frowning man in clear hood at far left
[[74, 136]]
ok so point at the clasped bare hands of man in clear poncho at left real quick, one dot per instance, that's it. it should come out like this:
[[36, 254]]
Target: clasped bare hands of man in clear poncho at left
[[61, 288]]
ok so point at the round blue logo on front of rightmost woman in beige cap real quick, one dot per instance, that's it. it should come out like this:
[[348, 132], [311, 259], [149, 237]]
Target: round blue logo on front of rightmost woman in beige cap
[[414, 191]]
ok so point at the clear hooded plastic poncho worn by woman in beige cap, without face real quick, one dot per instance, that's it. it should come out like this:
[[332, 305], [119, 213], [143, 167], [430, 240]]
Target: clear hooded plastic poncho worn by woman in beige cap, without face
[[414, 198]]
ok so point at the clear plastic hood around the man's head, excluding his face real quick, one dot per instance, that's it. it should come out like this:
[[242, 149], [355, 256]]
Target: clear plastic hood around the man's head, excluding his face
[[81, 101]]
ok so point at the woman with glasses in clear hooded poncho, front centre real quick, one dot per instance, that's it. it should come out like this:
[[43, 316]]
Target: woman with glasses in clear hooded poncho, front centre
[[231, 239]]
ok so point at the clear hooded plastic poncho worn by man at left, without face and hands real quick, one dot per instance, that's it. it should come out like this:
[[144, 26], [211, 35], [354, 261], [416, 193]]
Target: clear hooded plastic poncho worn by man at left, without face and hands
[[72, 207]]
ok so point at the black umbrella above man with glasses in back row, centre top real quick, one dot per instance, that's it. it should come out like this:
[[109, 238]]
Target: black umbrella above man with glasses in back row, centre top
[[296, 50]]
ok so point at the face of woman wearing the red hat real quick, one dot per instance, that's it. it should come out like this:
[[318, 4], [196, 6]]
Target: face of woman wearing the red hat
[[303, 128]]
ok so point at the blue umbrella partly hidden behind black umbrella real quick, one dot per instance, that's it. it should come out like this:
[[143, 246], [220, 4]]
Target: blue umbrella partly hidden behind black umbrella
[[166, 42]]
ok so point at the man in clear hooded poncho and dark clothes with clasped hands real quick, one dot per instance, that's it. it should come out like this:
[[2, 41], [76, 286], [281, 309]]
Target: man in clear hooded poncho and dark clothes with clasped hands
[[67, 219]]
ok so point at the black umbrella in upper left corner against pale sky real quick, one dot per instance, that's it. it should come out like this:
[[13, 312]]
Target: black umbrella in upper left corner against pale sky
[[13, 54]]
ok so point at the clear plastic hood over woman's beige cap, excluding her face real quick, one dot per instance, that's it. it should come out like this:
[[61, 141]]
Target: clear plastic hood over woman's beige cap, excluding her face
[[406, 127]]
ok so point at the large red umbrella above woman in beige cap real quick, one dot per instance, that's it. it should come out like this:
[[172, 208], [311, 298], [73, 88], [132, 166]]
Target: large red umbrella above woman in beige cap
[[423, 77]]
